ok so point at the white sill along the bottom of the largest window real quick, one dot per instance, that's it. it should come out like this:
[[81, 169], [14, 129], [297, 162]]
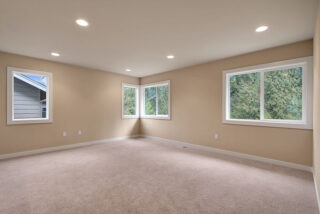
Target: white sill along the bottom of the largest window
[[275, 124]]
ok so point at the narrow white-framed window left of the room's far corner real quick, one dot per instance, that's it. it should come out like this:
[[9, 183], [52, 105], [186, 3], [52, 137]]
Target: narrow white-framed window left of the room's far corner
[[130, 101]]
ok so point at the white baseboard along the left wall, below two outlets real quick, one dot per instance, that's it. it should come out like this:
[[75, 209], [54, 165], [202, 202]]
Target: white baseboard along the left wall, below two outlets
[[59, 148]]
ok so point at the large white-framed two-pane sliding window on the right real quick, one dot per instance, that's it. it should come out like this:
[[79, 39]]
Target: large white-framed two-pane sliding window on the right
[[276, 94]]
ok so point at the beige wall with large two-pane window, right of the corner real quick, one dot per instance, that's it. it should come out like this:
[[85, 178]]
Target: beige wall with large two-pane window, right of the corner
[[196, 104]]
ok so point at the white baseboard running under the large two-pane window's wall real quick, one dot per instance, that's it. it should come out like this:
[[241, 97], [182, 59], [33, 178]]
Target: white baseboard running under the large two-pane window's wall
[[235, 154]]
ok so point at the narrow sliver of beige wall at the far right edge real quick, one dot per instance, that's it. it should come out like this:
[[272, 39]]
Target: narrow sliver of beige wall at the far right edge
[[316, 102]]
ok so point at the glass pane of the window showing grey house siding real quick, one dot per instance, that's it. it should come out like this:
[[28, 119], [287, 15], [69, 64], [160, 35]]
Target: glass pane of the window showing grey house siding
[[29, 96]]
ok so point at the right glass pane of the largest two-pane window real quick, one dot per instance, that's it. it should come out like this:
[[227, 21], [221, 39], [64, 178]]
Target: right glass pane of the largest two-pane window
[[283, 94]]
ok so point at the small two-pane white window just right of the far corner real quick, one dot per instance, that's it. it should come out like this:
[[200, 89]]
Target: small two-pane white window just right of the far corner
[[155, 100]]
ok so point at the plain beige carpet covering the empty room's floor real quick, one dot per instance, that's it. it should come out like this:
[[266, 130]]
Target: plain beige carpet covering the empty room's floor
[[147, 176]]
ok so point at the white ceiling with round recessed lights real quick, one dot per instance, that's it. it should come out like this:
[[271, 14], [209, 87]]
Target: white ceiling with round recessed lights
[[138, 34]]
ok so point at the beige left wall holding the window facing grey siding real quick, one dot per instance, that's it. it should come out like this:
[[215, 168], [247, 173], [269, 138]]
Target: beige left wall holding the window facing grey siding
[[84, 99]]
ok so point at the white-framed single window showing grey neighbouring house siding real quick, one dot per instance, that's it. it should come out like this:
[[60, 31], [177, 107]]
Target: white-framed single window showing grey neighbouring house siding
[[29, 96]]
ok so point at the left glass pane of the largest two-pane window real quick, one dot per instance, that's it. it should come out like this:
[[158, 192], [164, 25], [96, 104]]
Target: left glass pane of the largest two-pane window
[[245, 96]]
